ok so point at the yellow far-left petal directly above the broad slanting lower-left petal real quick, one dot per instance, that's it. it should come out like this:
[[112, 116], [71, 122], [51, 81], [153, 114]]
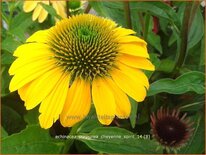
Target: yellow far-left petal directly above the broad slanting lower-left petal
[[28, 73]]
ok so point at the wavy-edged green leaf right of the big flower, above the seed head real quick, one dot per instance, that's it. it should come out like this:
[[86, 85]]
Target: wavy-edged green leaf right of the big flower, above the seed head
[[191, 81]]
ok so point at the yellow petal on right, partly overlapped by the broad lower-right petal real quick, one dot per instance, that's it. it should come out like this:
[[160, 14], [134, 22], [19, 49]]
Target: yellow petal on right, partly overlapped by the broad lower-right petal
[[134, 73]]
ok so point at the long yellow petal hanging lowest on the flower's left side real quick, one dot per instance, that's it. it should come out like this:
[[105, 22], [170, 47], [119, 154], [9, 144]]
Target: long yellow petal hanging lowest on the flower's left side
[[53, 104]]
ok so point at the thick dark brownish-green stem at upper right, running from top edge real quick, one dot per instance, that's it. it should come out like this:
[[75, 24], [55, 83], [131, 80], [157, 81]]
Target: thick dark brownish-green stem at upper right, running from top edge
[[183, 38]]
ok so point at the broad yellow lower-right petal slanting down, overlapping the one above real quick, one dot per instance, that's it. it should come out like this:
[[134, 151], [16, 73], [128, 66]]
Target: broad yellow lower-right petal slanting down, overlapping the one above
[[129, 85]]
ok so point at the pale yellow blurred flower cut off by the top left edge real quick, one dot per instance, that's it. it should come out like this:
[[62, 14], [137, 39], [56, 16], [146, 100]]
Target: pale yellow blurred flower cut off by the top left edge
[[40, 13]]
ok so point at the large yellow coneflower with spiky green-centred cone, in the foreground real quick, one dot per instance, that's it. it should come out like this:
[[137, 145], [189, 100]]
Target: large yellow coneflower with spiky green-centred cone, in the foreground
[[82, 59]]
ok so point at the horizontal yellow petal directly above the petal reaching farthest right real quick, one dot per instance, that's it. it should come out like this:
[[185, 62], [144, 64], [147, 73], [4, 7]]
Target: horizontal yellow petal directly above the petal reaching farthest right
[[134, 50]]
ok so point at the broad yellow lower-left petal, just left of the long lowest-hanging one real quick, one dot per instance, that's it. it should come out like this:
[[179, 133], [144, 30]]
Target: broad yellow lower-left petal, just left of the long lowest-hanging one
[[41, 87]]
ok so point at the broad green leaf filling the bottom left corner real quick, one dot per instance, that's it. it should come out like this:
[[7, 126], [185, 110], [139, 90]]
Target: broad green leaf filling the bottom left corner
[[32, 140]]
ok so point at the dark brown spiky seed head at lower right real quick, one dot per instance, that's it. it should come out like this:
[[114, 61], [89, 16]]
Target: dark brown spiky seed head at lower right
[[169, 129]]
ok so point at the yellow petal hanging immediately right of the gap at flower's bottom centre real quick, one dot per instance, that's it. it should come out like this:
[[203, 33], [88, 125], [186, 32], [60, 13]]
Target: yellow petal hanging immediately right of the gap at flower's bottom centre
[[104, 101]]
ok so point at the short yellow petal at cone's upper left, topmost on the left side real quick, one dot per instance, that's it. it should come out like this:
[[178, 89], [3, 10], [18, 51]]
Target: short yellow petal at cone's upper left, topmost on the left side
[[41, 36]]
